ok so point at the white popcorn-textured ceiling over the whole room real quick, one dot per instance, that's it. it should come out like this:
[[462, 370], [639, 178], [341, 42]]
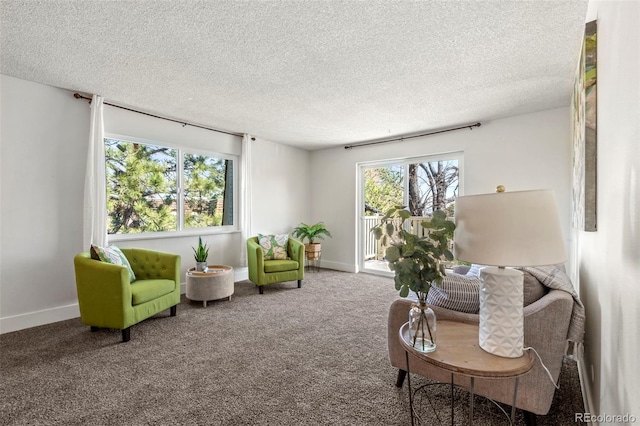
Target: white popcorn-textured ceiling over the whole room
[[311, 74]]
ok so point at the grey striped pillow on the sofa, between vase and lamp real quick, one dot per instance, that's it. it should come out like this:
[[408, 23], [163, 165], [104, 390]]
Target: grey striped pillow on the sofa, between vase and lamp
[[456, 292]]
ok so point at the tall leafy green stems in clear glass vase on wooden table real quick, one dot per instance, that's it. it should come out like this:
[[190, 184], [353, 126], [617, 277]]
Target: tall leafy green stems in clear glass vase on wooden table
[[417, 263]]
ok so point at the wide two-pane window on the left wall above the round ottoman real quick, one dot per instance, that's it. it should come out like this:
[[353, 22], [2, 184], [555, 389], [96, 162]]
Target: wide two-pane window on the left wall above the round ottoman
[[153, 188]]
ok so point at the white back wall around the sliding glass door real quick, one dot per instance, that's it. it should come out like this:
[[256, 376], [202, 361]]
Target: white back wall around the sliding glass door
[[529, 151]]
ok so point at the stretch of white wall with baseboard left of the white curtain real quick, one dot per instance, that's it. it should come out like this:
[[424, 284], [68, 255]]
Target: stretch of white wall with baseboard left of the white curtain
[[43, 164]]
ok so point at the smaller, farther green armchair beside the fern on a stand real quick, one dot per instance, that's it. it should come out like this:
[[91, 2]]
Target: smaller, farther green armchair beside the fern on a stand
[[263, 272]]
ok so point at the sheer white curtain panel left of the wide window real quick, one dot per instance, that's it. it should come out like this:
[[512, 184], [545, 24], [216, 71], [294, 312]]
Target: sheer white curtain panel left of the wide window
[[95, 194]]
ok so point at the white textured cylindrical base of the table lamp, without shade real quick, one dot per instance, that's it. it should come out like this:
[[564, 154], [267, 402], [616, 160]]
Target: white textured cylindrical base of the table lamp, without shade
[[501, 312]]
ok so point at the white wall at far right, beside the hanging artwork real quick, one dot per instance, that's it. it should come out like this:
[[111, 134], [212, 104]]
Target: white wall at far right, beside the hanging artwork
[[608, 260]]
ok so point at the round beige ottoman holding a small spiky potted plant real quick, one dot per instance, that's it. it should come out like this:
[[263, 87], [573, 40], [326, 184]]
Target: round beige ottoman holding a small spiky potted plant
[[216, 283]]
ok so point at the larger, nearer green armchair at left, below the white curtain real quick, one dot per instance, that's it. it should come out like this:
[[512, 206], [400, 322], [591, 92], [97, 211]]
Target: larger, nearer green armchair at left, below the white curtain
[[108, 300]]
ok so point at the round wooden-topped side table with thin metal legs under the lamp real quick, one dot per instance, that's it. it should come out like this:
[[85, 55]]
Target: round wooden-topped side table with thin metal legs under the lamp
[[458, 352]]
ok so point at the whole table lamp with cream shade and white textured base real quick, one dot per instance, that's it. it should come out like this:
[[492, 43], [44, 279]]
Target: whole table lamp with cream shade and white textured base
[[516, 229]]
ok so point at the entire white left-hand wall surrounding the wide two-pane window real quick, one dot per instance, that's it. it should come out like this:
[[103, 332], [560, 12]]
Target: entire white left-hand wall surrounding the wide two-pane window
[[44, 132]]
